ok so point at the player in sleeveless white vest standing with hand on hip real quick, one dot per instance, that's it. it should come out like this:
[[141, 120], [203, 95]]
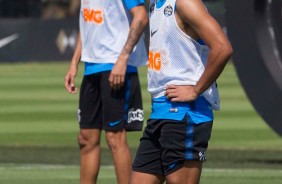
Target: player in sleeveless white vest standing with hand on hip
[[188, 51]]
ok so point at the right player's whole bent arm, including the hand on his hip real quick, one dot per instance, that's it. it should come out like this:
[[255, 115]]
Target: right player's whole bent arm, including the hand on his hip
[[193, 18]]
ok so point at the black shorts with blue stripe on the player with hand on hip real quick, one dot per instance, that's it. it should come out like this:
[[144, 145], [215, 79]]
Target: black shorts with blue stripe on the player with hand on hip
[[167, 144]]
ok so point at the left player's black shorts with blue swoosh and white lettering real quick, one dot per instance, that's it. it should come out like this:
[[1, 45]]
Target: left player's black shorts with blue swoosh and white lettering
[[101, 107]]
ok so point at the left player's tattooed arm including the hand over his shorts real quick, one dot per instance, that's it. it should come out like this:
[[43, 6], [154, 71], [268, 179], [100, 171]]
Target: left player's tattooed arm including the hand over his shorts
[[137, 27]]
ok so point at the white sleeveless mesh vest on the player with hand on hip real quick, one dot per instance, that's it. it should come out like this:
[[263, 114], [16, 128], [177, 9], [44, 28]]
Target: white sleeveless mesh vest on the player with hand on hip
[[174, 57]]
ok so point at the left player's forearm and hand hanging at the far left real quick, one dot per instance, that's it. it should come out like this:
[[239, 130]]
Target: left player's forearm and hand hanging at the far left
[[72, 71]]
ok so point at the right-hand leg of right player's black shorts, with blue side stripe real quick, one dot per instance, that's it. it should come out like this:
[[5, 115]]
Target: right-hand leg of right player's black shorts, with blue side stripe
[[183, 141]]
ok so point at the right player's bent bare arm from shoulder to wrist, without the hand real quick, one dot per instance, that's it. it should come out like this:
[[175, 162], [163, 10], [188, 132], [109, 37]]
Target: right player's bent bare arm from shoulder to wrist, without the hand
[[194, 13]]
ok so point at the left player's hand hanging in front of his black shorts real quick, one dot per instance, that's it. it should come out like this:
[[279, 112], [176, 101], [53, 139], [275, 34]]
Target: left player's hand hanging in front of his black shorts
[[117, 75]]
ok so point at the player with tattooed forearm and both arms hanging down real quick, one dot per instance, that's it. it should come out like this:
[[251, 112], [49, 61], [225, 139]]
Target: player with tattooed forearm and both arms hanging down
[[109, 44]]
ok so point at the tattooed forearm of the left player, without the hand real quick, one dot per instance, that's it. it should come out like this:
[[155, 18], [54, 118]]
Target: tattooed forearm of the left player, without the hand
[[137, 27]]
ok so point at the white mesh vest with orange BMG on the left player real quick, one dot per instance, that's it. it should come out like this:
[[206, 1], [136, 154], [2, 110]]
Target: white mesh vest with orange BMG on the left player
[[104, 28]]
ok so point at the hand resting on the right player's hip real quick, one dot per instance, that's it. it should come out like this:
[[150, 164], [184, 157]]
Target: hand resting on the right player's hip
[[181, 93]]
